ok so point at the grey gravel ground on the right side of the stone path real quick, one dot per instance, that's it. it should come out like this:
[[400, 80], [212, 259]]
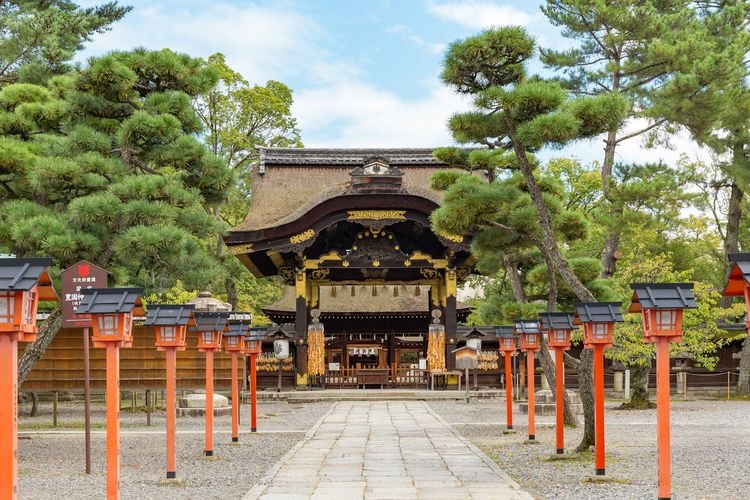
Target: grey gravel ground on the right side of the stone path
[[710, 450]]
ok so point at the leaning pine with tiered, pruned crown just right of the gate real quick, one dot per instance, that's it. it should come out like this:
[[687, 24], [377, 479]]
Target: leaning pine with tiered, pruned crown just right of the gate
[[518, 114]]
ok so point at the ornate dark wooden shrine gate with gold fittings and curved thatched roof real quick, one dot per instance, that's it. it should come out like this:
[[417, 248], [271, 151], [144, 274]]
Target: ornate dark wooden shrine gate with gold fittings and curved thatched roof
[[349, 233]]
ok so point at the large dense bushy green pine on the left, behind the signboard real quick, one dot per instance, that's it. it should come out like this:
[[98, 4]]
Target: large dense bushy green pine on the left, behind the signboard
[[105, 165]]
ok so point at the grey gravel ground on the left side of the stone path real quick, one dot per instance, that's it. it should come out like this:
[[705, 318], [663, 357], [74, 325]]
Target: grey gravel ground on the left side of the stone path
[[51, 461]]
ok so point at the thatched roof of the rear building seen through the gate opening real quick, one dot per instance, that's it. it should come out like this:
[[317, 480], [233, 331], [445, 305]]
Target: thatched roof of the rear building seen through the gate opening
[[363, 299]]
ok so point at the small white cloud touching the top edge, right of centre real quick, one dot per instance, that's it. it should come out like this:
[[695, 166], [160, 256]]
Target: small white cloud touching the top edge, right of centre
[[478, 13]]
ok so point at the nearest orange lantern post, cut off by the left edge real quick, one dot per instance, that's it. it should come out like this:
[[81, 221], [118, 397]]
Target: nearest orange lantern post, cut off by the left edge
[[23, 282]]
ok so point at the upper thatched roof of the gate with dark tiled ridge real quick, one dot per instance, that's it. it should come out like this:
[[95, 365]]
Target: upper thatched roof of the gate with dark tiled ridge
[[291, 181]]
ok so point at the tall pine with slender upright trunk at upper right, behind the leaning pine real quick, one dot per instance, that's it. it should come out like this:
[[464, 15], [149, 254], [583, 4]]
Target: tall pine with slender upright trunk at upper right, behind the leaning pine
[[660, 56]]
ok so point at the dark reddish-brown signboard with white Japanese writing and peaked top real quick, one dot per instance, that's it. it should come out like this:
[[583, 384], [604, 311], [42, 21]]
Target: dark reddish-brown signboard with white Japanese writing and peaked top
[[74, 279]]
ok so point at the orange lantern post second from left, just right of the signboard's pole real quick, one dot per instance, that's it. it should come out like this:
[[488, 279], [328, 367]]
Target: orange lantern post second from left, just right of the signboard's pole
[[111, 310]]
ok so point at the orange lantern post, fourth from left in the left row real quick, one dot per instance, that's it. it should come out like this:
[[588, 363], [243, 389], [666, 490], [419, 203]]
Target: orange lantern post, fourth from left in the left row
[[210, 326]]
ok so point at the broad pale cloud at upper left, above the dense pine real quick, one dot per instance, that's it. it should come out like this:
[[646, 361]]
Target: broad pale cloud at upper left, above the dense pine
[[273, 42]]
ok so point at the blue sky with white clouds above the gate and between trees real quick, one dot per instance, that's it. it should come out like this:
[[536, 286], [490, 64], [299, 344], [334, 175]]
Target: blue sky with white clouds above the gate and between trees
[[365, 73]]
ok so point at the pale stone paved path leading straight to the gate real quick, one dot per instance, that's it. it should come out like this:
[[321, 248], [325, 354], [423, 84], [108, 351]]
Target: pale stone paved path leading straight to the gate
[[385, 450]]
